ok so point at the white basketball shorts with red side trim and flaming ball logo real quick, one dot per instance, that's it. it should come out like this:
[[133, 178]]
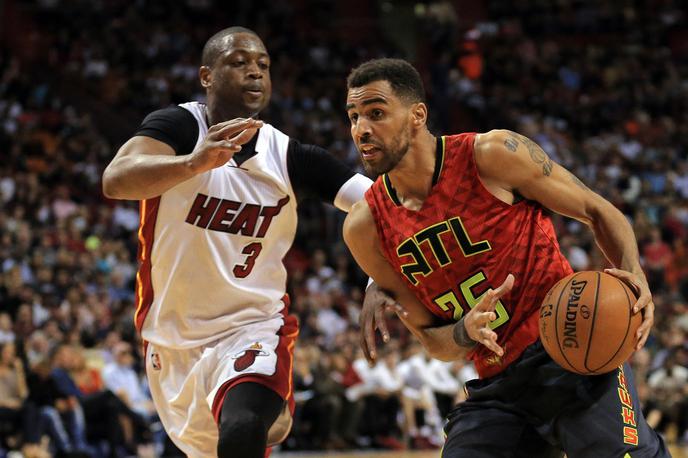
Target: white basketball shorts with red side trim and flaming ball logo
[[189, 385]]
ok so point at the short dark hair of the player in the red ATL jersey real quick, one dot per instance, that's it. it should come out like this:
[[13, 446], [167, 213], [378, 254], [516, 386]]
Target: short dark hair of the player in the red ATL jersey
[[401, 75]]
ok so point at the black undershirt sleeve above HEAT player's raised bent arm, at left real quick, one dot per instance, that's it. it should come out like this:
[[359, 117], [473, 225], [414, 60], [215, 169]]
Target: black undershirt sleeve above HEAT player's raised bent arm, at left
[[173, 125]]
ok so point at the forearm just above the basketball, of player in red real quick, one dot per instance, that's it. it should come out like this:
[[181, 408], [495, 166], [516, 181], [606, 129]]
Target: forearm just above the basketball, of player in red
[[614, 235]]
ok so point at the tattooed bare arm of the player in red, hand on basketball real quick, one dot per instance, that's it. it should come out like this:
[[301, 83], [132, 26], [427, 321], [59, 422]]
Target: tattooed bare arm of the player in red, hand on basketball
[[533, 175]]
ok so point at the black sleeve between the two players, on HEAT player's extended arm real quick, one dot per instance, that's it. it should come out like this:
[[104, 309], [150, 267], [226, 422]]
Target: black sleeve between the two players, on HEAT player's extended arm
[[315, 173]]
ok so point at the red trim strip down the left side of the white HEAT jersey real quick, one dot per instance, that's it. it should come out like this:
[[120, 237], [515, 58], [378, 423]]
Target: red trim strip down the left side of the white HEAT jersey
[[144, 286]]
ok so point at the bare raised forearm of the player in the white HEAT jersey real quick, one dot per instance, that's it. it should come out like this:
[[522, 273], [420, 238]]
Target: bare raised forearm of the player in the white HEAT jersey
[[142, 176]]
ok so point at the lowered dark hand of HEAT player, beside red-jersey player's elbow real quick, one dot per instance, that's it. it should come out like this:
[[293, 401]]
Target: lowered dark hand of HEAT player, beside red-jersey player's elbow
[[372, 317]]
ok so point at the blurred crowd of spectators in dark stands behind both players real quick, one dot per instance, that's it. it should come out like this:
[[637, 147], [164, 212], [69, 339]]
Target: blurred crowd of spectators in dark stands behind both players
[[602, 86]]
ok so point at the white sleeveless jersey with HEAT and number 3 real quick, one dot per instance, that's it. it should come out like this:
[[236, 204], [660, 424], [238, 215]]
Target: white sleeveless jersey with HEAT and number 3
[[211, 248]]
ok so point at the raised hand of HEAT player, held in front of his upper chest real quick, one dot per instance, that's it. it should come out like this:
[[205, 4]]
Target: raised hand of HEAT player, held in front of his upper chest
[[222, 142]]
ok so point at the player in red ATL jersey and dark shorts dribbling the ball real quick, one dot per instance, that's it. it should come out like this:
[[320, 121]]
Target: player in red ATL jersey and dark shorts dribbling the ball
[[451, 217]]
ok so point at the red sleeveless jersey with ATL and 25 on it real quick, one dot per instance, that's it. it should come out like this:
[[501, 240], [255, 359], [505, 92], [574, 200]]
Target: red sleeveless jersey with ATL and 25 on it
[[462, 241]]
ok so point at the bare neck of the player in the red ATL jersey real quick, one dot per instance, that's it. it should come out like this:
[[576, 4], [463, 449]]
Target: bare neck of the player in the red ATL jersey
[[412, 177]]
